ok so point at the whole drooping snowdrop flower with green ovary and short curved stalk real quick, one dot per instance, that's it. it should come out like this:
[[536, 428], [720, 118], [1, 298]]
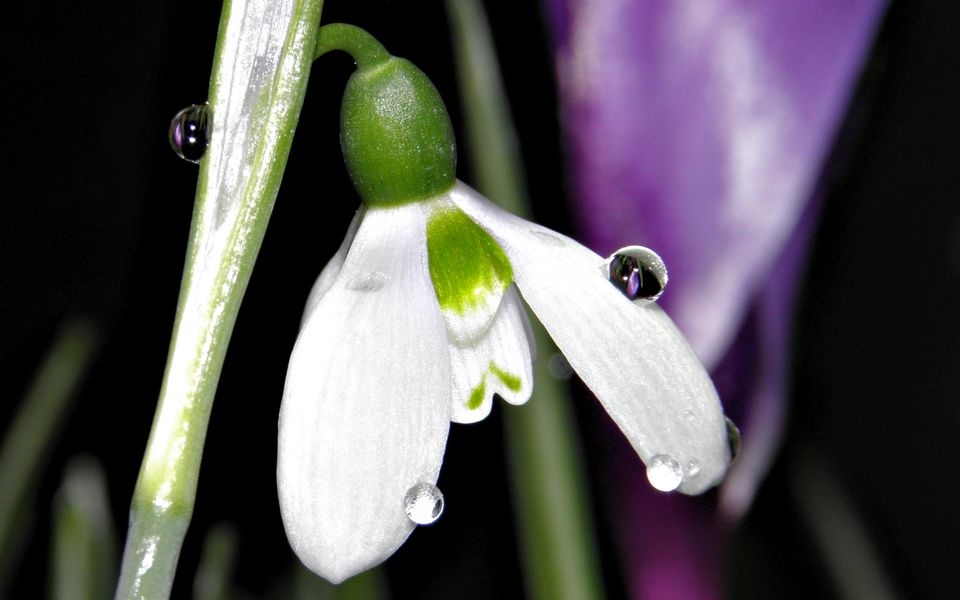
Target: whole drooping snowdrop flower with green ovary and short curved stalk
[[417, 322]]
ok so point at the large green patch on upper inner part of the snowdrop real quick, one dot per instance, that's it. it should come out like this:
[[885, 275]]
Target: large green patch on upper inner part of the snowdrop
[[466, 265]]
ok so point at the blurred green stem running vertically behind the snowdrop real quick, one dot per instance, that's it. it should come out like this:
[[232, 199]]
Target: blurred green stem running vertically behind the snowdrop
[[552, 508]]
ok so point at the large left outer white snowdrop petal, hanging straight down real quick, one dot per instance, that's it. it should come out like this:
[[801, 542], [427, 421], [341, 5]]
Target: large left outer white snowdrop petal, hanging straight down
[[366, 406]]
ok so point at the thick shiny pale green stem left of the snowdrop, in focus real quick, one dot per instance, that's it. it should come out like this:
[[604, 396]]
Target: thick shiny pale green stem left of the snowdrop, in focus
[[255, 104]]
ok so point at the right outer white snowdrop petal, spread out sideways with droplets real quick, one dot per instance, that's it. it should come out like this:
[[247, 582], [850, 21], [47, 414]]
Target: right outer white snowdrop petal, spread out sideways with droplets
[[632, 357]]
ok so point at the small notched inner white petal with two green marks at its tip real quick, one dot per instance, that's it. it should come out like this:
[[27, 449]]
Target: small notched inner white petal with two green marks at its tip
[[500, 363]]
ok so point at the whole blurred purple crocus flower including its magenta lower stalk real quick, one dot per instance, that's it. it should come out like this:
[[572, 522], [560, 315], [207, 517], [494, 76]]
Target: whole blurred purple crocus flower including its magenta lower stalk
[[703, 126]]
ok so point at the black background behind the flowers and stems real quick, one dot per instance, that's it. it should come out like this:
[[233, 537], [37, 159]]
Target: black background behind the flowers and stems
[[95, 210]]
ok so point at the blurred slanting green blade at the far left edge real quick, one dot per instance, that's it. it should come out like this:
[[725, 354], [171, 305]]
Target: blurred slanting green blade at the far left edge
[[27, 441]]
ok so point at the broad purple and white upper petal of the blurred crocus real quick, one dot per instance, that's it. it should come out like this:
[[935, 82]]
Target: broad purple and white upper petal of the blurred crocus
[[698, 128]]
